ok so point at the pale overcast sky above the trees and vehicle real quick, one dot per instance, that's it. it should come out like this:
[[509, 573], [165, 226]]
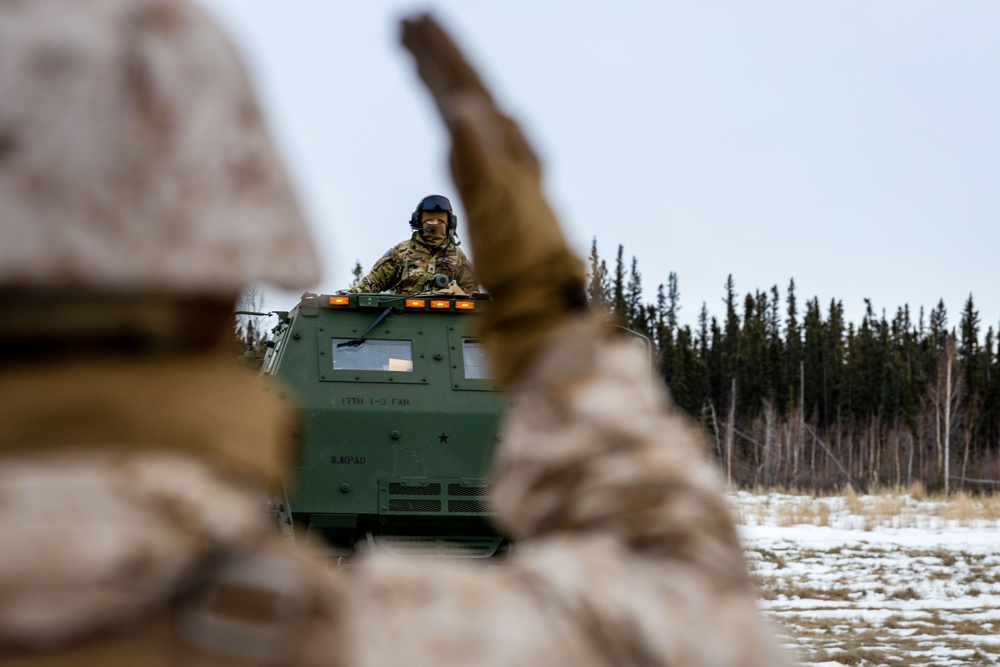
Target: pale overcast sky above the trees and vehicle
[[852, 146]]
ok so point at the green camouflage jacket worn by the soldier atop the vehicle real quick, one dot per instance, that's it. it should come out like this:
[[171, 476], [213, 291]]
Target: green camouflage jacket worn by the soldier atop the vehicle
[[405, 268]]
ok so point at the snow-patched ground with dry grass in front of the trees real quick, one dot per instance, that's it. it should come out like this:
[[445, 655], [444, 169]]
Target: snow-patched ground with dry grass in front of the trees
[[877, 580]]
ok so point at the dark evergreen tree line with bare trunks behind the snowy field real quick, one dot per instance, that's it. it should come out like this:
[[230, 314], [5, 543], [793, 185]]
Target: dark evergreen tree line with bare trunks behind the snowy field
[[793, 395]]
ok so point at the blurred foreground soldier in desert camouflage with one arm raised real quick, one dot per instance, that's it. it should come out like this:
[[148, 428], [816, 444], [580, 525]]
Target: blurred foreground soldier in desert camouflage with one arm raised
[[140, 192]]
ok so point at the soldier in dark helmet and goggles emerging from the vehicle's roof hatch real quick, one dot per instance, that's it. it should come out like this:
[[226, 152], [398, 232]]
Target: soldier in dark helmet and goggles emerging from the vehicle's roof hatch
[[409, 267]]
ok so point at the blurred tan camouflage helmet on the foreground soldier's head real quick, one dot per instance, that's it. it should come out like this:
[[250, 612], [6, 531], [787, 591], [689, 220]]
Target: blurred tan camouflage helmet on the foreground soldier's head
[[133, 155]]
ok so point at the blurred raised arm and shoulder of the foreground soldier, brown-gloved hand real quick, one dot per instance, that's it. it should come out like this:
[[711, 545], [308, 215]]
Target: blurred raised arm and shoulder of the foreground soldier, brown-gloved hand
[[625, 552]]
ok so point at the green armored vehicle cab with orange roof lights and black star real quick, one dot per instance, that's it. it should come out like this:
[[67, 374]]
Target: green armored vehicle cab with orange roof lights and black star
[[398, 421]]
